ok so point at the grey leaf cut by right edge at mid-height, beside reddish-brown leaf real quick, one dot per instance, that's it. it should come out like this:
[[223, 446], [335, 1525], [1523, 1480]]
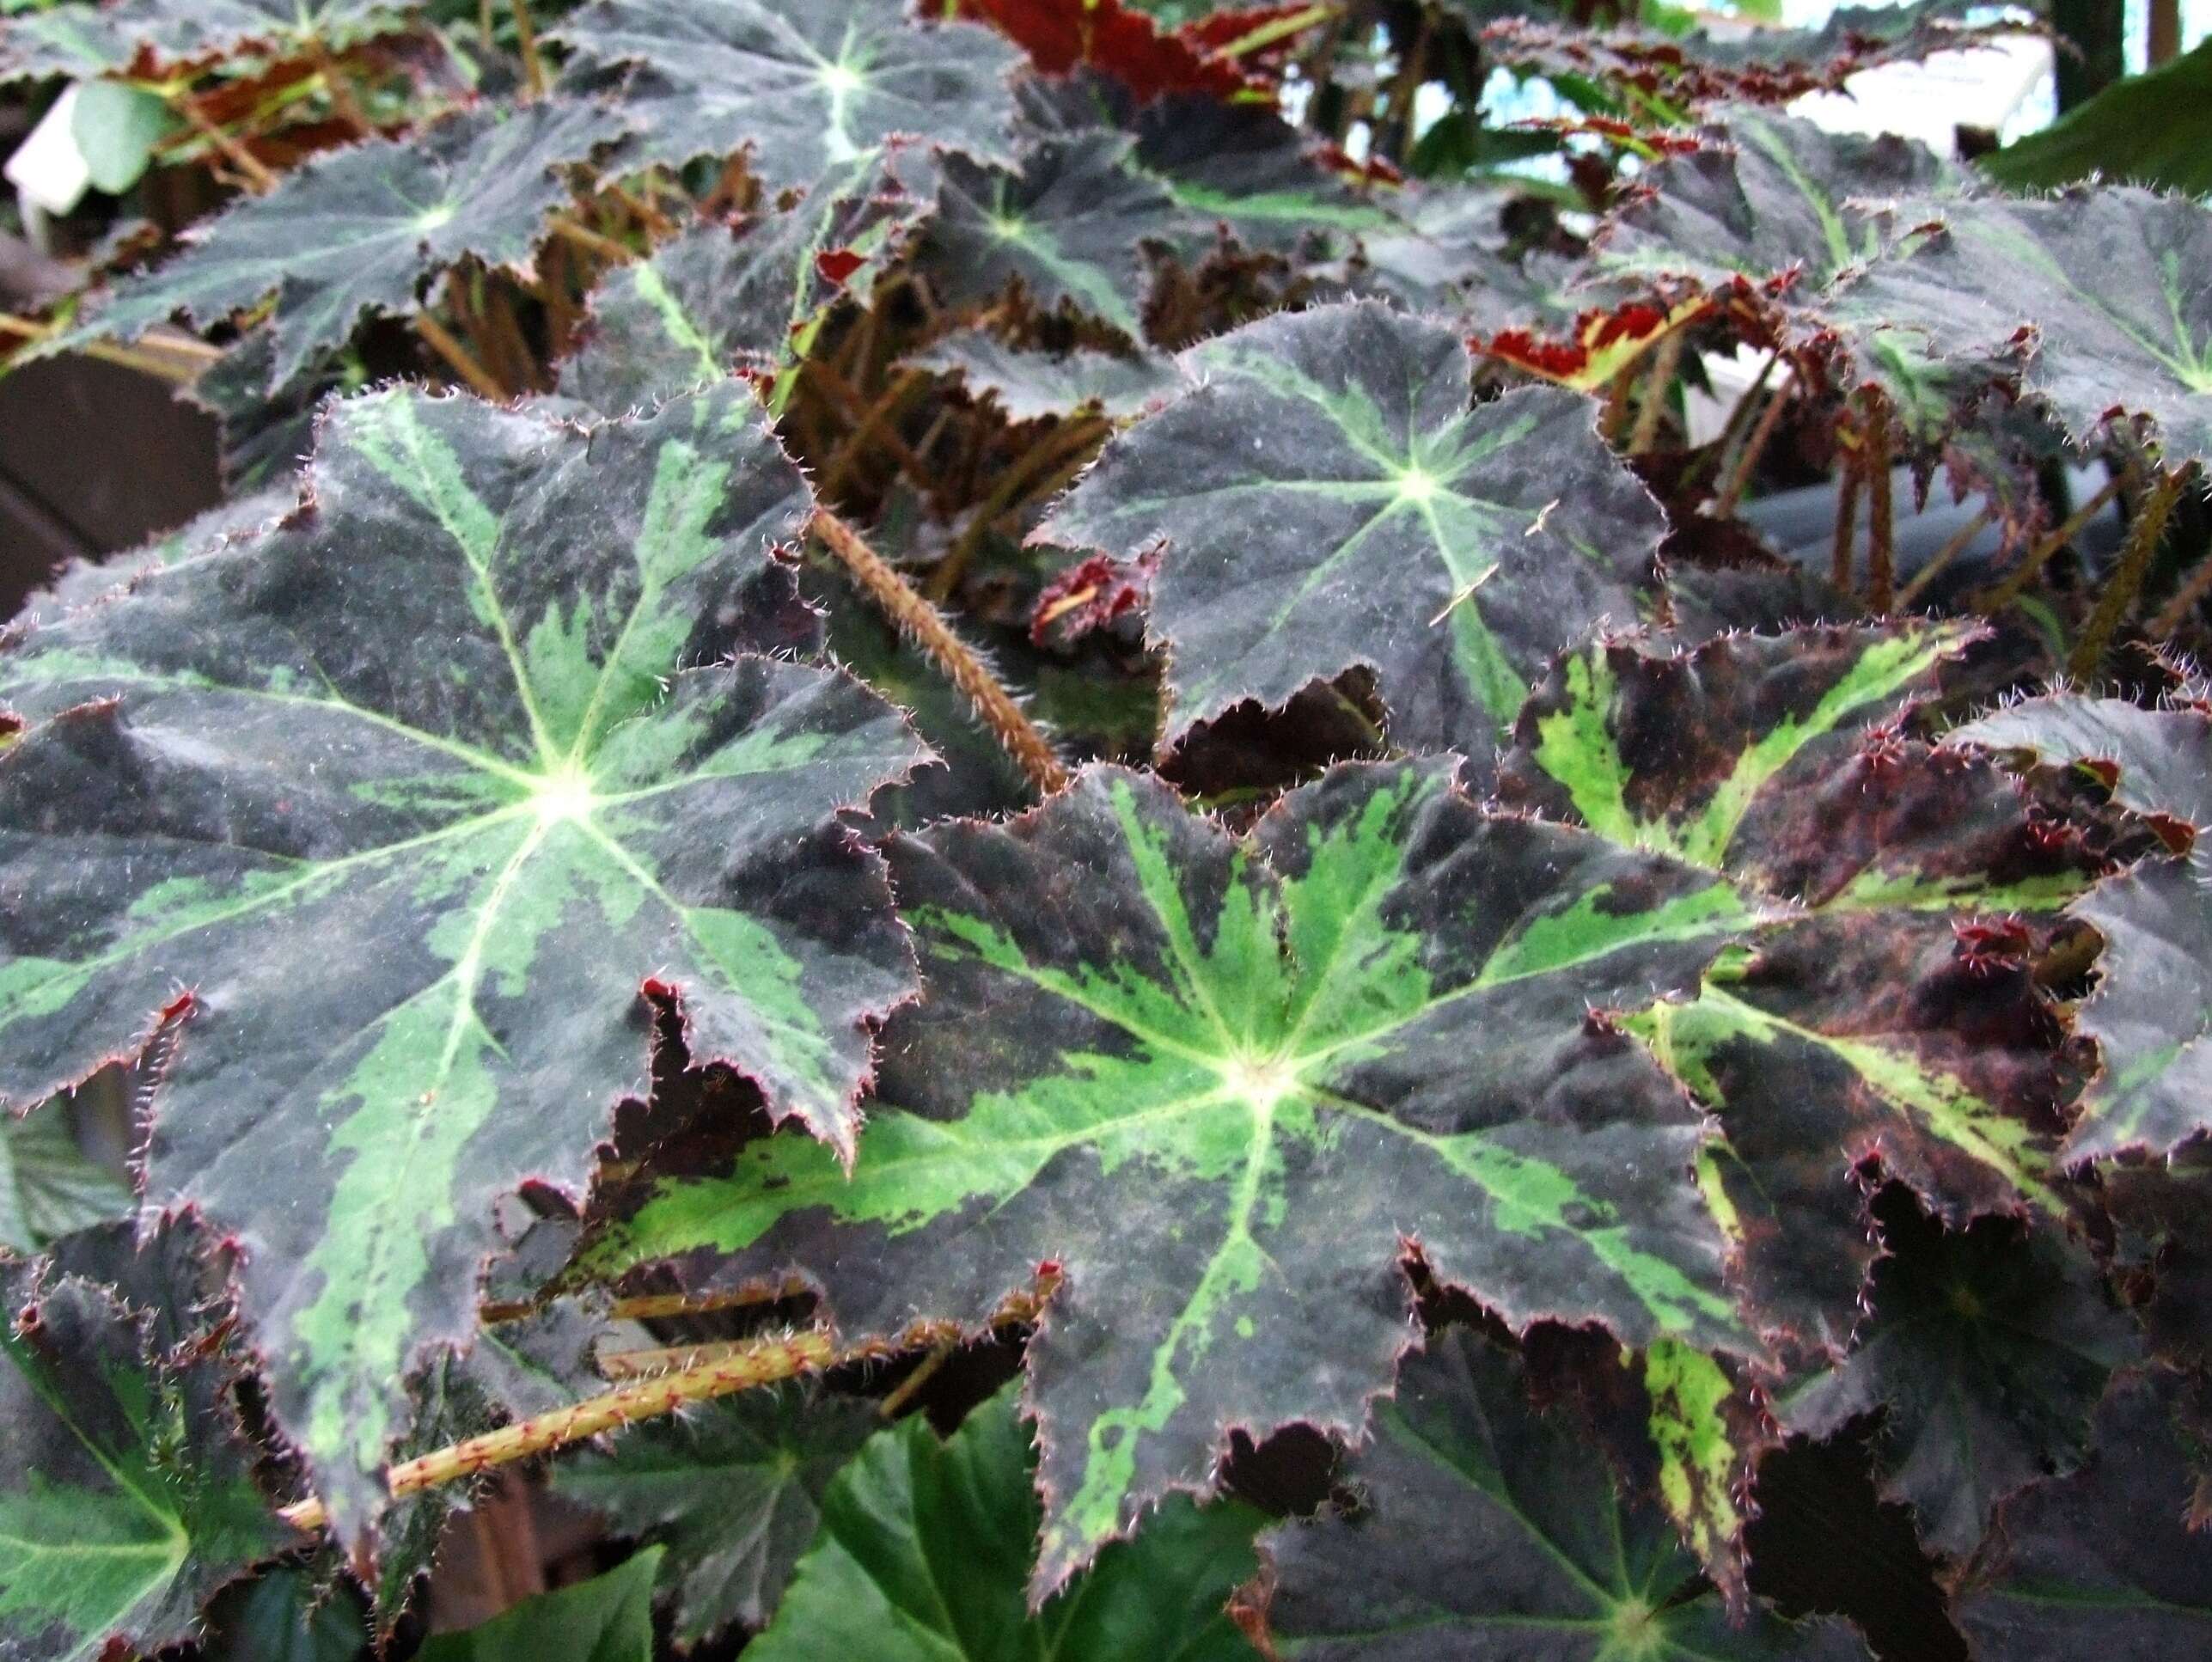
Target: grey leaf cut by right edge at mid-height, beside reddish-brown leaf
[[2153, 1006]]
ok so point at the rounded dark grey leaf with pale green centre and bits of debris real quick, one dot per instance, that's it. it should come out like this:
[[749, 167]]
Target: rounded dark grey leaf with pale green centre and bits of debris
[[1328, 501]]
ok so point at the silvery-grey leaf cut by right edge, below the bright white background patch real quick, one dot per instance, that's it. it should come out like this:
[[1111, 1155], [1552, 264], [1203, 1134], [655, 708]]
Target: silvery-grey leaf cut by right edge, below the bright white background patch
[[2109, 284]]
